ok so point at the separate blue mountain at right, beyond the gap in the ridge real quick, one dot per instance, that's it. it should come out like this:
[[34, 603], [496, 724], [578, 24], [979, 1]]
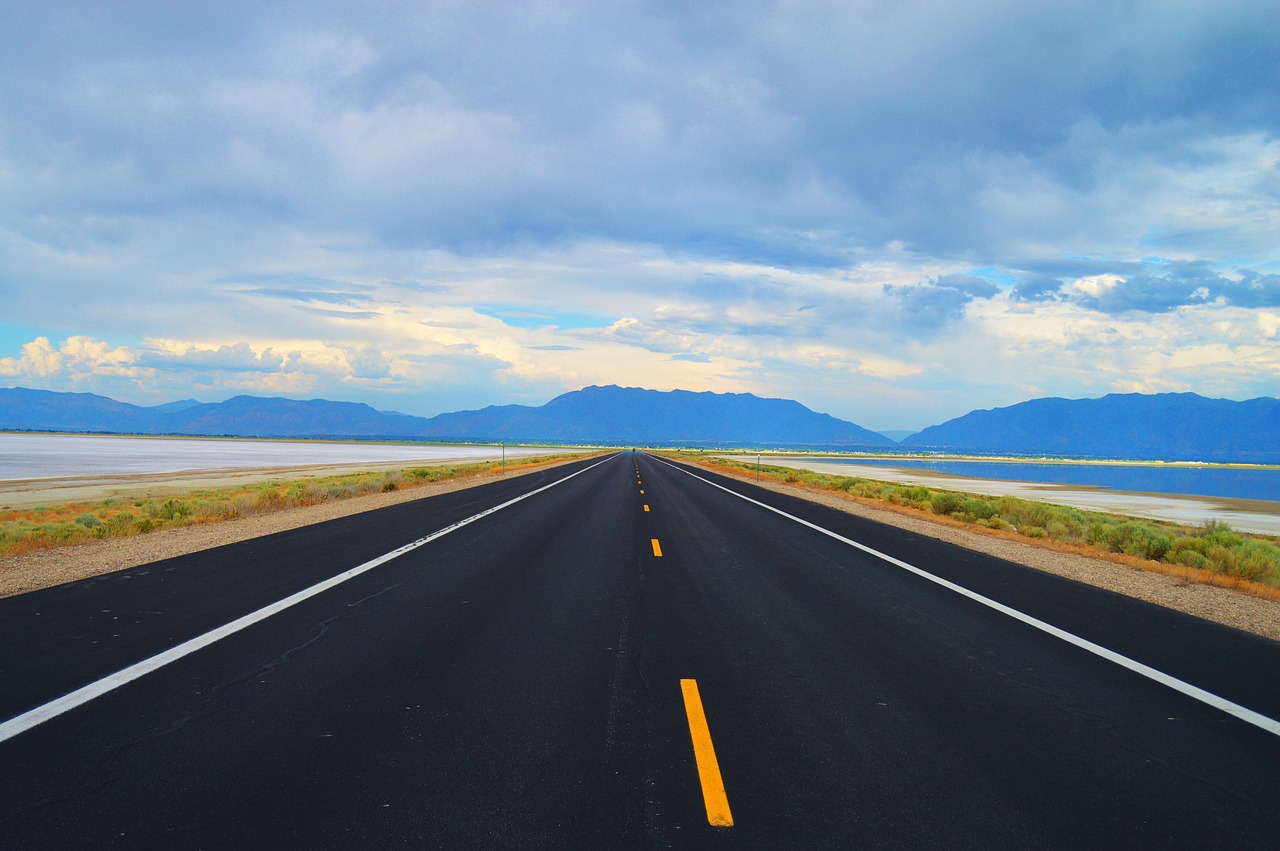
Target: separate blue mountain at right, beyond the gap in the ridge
[[1171, 427]]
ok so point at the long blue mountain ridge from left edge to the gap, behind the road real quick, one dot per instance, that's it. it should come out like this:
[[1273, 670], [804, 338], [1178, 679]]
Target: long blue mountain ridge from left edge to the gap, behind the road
[[609, 415]]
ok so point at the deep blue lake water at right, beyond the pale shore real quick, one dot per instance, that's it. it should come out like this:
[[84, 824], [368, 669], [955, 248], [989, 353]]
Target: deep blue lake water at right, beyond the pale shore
[[1155, 479]]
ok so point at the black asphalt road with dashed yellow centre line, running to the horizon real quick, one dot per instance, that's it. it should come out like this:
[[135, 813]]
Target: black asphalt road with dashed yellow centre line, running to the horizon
[[524, 681]]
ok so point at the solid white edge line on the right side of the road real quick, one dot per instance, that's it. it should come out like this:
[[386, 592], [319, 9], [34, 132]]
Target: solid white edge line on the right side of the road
[[1223, 704]]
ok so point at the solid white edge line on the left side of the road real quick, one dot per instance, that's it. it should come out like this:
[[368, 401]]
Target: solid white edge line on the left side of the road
[[40, 715]]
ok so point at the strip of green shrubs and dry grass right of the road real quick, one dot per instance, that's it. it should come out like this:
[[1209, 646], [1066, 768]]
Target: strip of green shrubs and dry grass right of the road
[[1213, 553]]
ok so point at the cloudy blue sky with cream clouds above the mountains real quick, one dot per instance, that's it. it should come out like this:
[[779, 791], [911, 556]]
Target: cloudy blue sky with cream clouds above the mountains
[[893, 212]]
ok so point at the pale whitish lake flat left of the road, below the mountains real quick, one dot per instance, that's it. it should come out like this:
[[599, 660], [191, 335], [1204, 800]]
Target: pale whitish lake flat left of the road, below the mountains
[[49, 456]]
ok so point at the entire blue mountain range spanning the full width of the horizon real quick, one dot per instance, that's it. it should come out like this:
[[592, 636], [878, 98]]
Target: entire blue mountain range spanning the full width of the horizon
[[1169, 427]]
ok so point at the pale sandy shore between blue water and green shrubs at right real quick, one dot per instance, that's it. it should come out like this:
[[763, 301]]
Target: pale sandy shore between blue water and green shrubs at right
[[1246, 515]]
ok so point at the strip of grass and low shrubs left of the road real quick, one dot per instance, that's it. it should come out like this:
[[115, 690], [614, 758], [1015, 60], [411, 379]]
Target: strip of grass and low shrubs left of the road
[[45, 528]]
